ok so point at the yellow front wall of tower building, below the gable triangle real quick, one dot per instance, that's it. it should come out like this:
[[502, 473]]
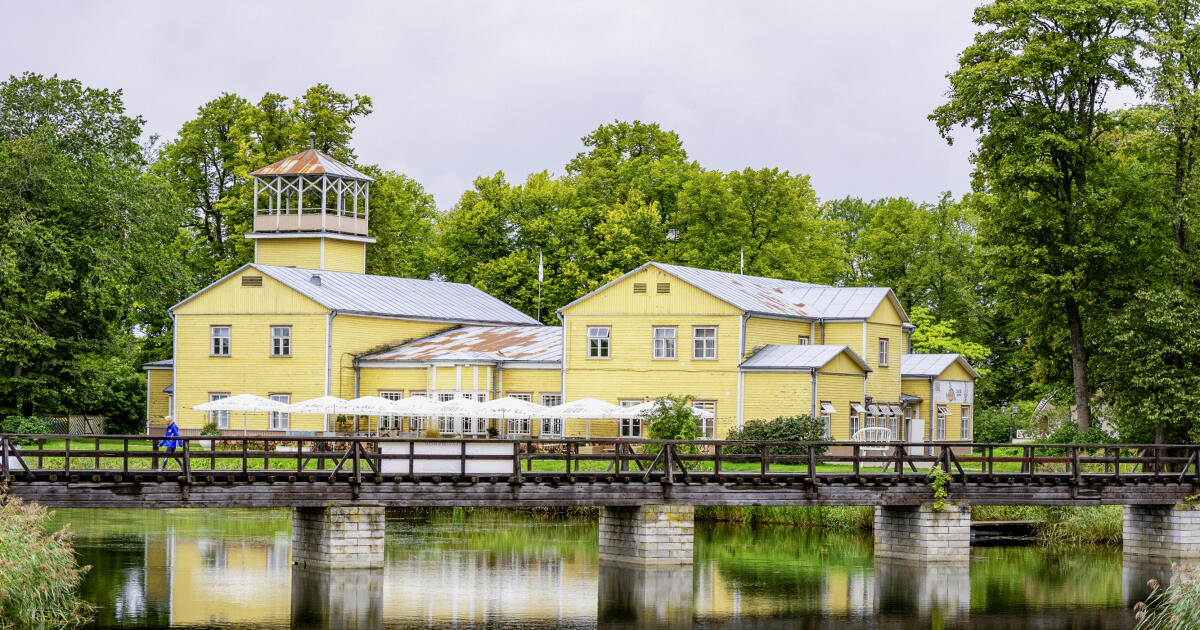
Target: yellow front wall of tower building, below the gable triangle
[[250, 369]]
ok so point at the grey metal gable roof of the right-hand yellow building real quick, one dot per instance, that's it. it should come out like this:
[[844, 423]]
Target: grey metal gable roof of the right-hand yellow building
[[775, 297]]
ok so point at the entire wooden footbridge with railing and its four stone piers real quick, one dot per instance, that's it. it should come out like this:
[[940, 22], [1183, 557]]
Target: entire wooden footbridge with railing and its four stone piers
[[649, 489]]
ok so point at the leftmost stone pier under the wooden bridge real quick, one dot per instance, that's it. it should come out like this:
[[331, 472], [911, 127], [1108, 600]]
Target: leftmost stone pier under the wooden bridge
[[340, 537]]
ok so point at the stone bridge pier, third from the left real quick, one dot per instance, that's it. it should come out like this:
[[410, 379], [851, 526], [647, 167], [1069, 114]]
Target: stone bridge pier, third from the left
[[922, 533]]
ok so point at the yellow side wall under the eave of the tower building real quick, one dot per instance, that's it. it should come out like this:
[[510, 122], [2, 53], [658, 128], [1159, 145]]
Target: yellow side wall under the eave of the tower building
[[355, 335]]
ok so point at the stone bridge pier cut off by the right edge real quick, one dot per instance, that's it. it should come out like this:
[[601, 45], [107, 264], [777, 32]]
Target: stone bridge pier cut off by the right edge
[[1162, 531]]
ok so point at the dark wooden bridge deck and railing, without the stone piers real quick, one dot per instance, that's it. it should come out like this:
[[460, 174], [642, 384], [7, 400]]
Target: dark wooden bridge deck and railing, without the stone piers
[[317, 472]]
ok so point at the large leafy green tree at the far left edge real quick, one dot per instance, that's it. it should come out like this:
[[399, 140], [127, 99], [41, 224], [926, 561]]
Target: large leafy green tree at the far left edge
[[82, 266]]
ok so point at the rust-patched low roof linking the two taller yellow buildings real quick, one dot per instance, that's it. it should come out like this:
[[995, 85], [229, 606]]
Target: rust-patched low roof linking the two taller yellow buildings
[[481, 344]]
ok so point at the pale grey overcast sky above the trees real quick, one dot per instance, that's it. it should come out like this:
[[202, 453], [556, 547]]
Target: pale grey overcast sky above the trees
[[839, 91]]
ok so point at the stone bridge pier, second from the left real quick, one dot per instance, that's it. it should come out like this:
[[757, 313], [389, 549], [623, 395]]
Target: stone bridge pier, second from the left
[[647, 535]]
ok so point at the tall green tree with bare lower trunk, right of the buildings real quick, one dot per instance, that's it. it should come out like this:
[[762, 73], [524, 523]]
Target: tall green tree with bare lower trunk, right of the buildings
[[1034, 87]]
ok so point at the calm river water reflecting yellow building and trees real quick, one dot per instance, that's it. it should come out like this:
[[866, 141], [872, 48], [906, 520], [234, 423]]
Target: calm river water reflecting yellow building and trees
[[232, 569]]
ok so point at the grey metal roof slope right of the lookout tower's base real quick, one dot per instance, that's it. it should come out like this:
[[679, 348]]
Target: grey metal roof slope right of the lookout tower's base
[[387, 296]]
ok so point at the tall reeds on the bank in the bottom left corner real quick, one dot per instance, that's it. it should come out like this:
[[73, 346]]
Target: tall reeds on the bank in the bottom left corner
[[39, 577]]
